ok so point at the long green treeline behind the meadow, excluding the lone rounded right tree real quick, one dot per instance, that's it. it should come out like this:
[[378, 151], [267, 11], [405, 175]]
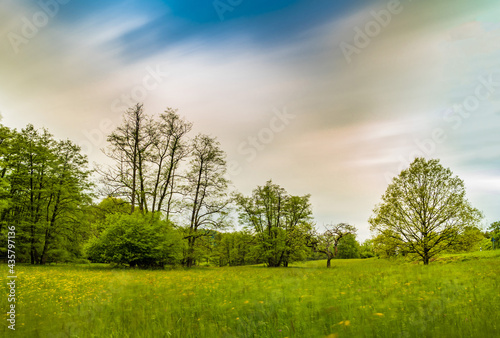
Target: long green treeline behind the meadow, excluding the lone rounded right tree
[[165, 199]]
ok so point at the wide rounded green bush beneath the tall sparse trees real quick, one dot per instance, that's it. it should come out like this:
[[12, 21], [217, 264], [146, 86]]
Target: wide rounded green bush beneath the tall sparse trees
[[136, 240]]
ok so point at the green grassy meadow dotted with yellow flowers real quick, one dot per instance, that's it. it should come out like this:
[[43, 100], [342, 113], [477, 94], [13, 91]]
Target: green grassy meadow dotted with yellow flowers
[[456, 296]]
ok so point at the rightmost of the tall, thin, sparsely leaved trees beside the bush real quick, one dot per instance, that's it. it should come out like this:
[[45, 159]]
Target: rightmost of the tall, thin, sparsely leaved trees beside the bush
[[205, 191]]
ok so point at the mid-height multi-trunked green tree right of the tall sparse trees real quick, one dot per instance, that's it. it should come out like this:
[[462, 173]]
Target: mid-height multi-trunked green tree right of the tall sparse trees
[[279, 221]]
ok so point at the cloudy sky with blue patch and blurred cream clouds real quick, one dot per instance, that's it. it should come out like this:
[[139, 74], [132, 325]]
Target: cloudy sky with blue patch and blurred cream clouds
[[328, 98]]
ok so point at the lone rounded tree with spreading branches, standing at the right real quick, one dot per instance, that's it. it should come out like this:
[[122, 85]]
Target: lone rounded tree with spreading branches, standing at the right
[[424, 209]]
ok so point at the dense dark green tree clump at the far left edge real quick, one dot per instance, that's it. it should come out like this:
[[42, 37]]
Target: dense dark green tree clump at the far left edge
[[48, 188]]
